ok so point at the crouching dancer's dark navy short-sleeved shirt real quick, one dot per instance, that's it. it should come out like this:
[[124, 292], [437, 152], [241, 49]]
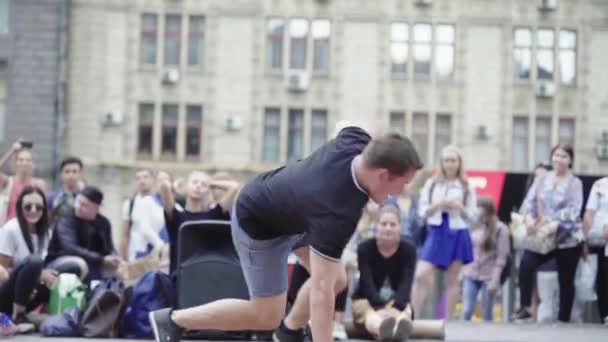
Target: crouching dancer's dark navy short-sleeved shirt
[[317, 195]]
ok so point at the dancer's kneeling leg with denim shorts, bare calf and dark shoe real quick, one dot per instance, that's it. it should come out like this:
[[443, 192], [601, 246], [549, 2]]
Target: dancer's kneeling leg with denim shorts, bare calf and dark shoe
[[264, 264]]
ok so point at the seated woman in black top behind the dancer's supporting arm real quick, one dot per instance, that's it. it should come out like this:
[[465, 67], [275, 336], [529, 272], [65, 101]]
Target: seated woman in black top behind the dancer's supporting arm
[[386, 267]]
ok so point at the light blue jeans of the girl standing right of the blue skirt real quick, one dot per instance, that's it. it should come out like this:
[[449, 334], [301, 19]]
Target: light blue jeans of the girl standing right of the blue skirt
[[470, 289]]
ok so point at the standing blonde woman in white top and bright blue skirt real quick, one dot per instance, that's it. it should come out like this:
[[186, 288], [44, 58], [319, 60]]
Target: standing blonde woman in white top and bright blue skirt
[[448, 206]]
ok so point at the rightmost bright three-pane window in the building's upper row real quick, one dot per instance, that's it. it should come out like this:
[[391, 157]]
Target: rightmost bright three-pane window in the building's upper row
[[541, 47]]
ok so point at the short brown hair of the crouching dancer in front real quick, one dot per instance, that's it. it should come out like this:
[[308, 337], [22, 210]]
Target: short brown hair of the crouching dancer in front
[[392, 152]]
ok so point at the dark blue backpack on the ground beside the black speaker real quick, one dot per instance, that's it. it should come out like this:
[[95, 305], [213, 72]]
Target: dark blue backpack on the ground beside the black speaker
[[153, 291]]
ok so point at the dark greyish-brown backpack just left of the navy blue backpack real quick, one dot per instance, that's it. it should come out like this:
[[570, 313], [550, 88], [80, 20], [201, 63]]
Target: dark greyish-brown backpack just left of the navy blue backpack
[[106, 305]]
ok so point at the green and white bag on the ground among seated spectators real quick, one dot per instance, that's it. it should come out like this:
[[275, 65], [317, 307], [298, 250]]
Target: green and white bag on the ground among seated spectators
[[68, 292]]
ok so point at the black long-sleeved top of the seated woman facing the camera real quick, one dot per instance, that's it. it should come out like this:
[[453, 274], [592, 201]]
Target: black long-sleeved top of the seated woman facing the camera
[[375, 270]]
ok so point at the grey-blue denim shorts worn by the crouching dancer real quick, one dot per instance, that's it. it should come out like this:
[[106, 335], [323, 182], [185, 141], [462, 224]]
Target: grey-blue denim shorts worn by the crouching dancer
[[264, 262]]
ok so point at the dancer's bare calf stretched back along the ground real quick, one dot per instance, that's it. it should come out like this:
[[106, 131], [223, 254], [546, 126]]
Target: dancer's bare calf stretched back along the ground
[[259, 313]]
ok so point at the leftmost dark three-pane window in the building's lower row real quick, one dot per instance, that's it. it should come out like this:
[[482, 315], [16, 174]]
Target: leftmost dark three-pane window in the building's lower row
[[171, 132]]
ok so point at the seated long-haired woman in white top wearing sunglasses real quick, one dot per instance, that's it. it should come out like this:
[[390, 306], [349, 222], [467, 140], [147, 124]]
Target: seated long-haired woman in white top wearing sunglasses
[[23, 246]]
